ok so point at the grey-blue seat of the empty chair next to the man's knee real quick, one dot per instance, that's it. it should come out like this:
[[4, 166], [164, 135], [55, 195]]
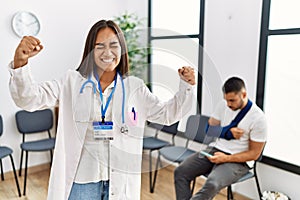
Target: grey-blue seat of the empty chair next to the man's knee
[[176, 153]]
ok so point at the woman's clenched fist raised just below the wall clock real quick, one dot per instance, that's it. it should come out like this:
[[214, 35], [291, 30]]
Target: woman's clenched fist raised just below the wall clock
[[28, 47]]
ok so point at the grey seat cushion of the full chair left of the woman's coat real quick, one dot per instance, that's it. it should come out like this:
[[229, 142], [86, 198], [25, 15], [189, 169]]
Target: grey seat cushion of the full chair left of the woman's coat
[[40, 145]]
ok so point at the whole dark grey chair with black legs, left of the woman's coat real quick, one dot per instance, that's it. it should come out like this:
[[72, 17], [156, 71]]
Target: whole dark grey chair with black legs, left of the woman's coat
[[32, 123]]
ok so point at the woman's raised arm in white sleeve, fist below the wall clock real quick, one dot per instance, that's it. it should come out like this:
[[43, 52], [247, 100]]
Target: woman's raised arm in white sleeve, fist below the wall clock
[[26, 93]]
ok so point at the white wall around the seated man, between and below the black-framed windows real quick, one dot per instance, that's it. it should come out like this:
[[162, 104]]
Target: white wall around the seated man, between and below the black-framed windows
[[232, 31]]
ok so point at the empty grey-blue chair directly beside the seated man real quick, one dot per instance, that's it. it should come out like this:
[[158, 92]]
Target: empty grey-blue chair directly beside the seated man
[[195, 131]]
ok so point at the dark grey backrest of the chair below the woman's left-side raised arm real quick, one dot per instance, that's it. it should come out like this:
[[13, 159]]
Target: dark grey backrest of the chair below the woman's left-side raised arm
[[34, 122]]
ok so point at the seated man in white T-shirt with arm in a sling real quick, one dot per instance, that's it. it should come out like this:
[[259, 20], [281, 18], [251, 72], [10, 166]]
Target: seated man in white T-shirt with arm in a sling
[[239, 141]]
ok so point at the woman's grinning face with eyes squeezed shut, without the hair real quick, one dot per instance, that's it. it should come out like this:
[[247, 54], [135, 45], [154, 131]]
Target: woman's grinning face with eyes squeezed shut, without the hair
[[107, 51]]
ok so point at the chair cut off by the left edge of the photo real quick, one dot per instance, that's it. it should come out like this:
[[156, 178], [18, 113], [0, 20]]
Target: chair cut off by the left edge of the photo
[[4, 152]]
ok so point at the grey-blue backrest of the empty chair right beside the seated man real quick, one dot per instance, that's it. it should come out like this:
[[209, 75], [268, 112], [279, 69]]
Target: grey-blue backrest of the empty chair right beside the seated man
[[196, 129]]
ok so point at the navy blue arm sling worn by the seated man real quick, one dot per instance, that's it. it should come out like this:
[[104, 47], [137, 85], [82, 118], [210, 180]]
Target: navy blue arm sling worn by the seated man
[[224, 131]]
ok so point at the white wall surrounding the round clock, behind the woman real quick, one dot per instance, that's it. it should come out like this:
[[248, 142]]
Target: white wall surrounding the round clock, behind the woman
[[64, 26]]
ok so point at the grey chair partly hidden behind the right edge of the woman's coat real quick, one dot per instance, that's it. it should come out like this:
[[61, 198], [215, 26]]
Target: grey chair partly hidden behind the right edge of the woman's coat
[[154, 143]]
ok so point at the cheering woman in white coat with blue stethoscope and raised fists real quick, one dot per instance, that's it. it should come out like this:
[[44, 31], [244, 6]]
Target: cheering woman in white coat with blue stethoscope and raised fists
[[102, 115]]
